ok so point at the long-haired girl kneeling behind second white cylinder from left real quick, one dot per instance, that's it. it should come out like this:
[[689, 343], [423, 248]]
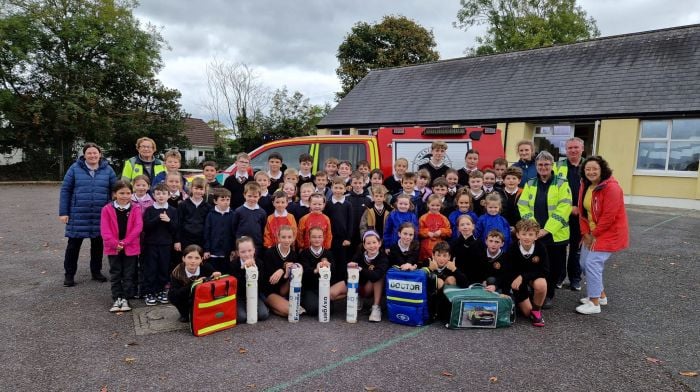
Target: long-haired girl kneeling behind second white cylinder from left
[[274, 276]]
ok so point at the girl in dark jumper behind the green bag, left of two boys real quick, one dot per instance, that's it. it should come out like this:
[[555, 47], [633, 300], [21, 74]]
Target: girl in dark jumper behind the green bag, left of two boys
[[466, 249]]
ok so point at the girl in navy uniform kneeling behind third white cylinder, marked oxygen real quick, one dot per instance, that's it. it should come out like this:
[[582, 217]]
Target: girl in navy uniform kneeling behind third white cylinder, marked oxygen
[[311, 259]]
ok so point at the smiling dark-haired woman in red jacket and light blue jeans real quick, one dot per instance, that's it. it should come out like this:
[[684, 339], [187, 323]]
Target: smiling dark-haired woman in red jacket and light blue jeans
[[604, 229]]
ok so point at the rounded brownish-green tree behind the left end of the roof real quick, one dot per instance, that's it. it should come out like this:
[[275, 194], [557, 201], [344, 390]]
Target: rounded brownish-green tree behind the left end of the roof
[[395, 41]]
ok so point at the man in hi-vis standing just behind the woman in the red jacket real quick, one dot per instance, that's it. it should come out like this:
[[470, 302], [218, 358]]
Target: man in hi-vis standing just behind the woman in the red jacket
[[569, 168]]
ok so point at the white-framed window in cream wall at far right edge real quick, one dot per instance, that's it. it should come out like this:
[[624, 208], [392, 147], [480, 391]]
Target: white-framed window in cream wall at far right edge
[[669, 145]]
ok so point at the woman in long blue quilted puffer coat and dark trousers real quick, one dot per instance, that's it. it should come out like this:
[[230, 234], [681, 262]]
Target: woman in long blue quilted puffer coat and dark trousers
[[86, 188]]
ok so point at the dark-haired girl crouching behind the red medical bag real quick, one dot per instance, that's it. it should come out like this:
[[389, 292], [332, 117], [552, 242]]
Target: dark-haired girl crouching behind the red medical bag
[[184, 276]]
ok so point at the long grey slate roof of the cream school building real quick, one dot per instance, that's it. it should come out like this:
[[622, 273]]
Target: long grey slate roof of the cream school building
[[652, 72]]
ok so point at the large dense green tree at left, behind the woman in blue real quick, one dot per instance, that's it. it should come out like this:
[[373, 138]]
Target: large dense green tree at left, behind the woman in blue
[[82, 70]]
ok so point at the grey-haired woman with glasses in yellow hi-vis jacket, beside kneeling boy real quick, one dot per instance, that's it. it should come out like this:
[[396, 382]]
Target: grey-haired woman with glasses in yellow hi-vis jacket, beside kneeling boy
[[547, 199]]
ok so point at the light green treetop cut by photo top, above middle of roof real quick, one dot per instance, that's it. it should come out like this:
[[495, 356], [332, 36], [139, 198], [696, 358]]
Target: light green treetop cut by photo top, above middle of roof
[[525, 24]]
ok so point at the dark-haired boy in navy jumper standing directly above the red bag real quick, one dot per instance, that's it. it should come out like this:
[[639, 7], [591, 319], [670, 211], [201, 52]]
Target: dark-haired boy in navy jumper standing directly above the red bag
[[218, 233]]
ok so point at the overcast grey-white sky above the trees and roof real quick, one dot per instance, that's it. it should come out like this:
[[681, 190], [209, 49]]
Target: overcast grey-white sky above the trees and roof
[[294, 43]]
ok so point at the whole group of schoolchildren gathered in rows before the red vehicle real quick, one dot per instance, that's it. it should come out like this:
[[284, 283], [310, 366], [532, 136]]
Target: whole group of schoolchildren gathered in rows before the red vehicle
[[458, 223]]
